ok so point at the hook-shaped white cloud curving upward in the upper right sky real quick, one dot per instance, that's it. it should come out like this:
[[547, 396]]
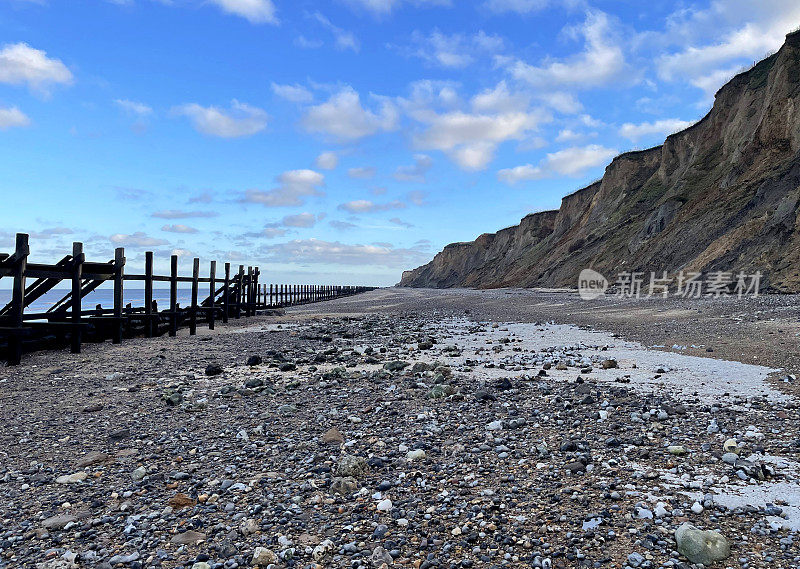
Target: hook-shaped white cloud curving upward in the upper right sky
[[601, 61]]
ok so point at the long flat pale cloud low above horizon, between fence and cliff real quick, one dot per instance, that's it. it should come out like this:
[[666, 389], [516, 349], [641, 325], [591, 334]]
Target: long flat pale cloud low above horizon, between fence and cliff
[[318, 251]]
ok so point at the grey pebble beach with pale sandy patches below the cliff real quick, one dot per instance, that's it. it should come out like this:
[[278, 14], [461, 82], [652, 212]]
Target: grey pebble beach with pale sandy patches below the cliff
[[414, 428]]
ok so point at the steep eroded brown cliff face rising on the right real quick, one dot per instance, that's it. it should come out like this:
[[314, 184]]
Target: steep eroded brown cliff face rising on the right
[[721, 195]]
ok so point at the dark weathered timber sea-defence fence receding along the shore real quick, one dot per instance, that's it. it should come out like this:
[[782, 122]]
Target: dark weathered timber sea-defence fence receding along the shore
[[67, 322]]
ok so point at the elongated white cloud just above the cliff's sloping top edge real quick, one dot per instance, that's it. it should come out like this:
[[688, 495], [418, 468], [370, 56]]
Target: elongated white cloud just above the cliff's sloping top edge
[[568, 162]]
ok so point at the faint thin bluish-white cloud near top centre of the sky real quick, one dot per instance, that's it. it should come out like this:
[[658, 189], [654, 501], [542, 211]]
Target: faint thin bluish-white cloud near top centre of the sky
[[453, 50]]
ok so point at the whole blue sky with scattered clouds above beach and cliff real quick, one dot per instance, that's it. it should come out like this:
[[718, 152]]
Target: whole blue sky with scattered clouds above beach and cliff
[[340, 141]]
